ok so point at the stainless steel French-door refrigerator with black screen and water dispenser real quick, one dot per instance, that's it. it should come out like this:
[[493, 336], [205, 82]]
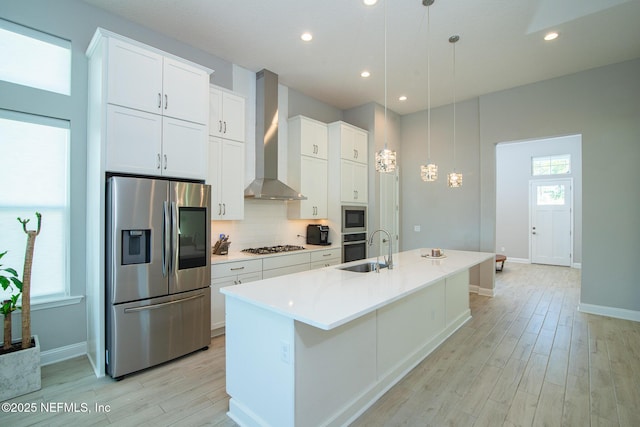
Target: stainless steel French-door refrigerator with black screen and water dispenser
[[158, 271]]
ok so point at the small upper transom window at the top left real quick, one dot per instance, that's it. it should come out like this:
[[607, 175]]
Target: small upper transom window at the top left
[[33, 58]]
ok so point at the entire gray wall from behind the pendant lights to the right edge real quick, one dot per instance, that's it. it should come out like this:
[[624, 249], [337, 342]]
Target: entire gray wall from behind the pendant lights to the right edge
[[603, 105]]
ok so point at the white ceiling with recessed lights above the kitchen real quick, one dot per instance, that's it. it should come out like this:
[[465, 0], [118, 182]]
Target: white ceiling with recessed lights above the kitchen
[[500, 45]]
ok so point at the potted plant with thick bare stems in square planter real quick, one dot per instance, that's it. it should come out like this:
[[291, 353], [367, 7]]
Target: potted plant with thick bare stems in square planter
[[19, 361]]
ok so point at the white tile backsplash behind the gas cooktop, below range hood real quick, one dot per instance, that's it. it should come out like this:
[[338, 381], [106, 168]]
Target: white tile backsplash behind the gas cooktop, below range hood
[[265, 223]]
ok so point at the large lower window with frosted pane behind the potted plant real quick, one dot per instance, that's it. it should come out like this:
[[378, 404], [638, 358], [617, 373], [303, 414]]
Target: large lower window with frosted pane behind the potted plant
[[35, 178]]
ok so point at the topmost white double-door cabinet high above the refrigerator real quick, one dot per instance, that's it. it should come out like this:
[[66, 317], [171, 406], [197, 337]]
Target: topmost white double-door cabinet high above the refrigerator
[[146, 80]]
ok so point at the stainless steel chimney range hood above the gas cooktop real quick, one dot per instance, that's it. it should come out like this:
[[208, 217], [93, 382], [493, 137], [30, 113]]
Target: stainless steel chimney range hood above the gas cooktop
[[266, 186]]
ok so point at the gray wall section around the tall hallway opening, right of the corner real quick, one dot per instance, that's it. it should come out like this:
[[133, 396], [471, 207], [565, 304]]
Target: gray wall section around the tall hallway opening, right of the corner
[[604, 106]]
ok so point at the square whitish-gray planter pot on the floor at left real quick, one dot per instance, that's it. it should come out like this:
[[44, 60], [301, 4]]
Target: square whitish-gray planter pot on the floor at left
[[20, 372]]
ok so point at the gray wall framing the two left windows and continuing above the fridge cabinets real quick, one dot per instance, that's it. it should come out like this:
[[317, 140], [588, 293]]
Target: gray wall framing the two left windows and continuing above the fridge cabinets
[[76, 21]]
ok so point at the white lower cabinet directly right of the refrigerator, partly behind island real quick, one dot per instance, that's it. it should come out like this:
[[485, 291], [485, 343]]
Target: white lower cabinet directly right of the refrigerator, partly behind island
[[229, 274]]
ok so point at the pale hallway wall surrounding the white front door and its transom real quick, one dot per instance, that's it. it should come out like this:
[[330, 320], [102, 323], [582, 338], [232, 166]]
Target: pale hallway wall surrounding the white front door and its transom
[[513, 175]]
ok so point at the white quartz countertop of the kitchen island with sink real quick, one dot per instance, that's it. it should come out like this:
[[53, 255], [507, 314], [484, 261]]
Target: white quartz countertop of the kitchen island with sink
[[329, 297]]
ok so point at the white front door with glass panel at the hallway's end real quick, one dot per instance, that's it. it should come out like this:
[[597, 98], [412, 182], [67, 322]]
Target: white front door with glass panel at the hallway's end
[[551, 221]]
